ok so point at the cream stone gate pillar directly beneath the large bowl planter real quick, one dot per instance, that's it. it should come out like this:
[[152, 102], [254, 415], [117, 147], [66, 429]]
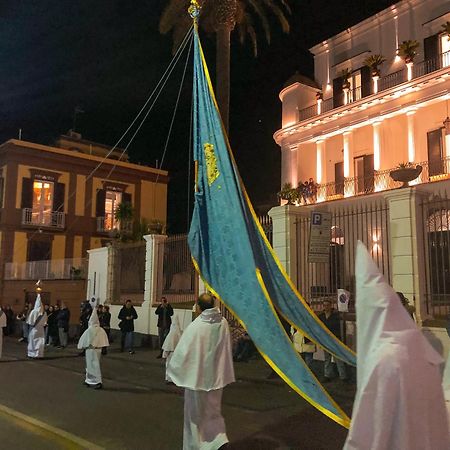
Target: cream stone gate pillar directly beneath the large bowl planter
[[406, 246]]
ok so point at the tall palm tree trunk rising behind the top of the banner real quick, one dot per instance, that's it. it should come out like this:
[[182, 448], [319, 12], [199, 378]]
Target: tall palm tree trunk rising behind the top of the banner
[[223, 71]]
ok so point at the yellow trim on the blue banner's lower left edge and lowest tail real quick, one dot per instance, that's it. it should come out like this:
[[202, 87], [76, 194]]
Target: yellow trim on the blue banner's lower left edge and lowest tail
[[344, 420]]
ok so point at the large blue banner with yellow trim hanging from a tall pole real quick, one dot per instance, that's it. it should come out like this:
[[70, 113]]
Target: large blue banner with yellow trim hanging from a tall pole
[[237, 263]]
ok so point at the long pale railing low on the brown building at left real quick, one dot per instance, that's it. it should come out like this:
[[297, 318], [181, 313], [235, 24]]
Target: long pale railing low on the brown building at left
[[56, 269]]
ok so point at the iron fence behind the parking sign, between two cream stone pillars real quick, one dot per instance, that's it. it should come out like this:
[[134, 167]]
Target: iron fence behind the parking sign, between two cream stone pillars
[[365, 221]]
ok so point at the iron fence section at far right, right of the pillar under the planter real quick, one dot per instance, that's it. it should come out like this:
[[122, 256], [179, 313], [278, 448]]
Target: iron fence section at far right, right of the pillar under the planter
[[436, 241]]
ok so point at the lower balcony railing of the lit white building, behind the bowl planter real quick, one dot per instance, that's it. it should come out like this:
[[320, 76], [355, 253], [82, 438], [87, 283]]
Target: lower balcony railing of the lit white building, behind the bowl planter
[[379, 181]]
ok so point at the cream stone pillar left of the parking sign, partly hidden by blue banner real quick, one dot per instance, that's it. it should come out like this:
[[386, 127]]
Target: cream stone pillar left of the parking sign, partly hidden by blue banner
[[285, 236]]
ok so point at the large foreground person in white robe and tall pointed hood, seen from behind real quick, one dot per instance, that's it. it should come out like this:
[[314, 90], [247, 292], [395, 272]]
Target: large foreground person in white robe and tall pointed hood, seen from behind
[[399, 402]]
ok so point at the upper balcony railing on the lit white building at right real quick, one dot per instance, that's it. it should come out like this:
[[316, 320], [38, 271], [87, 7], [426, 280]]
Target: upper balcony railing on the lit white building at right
[[384, 83]]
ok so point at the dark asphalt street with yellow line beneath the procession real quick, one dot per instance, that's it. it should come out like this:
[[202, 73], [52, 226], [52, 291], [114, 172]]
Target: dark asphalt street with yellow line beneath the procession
[[136, 410]]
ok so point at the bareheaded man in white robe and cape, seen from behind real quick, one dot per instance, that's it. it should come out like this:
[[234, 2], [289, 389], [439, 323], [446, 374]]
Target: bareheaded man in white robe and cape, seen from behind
[[202, 364]]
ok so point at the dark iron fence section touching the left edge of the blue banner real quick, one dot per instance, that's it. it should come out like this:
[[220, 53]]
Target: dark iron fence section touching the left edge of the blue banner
[[179, 276]]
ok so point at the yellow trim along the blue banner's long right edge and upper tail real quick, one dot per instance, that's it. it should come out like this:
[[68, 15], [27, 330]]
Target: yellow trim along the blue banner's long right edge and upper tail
[[261, 231]]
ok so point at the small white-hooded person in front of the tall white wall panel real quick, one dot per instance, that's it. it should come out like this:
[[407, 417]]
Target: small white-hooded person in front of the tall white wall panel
[[92, 341]]
